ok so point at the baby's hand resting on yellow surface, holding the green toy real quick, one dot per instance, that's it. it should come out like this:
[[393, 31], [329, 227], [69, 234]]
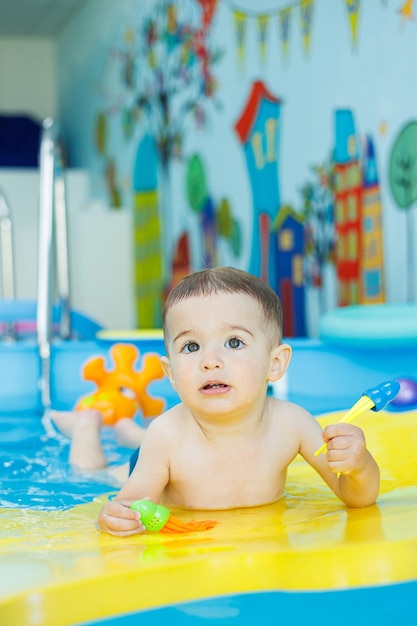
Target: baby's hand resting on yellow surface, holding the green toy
[[116, 518]]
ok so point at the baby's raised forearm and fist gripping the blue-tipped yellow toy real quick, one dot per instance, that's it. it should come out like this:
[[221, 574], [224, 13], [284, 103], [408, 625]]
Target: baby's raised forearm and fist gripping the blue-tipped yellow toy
[[348, 467]]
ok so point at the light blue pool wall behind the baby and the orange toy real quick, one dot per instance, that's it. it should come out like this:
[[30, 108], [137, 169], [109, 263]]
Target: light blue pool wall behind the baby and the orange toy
[[322, 377]]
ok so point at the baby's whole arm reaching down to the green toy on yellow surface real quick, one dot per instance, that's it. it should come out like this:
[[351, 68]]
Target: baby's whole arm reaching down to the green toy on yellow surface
[[148, 480]]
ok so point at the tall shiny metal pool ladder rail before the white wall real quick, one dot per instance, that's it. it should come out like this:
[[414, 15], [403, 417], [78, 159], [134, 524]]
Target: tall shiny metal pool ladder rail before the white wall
[[53, 265]]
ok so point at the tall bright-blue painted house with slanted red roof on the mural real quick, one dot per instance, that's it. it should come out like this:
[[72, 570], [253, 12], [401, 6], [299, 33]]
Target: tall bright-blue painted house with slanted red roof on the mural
[[258, 130]]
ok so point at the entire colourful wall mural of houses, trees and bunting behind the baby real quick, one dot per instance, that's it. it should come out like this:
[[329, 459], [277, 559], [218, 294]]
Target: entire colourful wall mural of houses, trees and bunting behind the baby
[[278, 138]]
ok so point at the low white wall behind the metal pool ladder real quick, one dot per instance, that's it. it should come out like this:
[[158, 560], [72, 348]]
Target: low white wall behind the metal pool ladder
[[100, 266]]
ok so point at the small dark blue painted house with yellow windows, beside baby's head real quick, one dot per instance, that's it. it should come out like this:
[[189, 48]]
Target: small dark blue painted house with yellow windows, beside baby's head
[[289, 227]]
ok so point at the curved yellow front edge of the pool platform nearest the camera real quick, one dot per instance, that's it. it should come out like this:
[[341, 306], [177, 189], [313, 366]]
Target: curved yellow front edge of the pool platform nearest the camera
[[213, 574]]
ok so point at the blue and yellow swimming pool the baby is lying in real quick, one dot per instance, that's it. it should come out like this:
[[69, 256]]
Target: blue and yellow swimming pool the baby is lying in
[[305, 558]]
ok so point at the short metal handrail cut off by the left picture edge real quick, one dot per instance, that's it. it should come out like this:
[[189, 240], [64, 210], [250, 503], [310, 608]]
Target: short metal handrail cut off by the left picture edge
[[7, 261]]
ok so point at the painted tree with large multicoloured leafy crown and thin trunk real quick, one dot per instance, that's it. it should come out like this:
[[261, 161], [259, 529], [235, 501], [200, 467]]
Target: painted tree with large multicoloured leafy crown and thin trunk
[[169, 77]]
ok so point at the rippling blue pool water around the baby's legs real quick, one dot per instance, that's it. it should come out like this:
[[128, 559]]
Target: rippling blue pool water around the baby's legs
[[34, 469]]
